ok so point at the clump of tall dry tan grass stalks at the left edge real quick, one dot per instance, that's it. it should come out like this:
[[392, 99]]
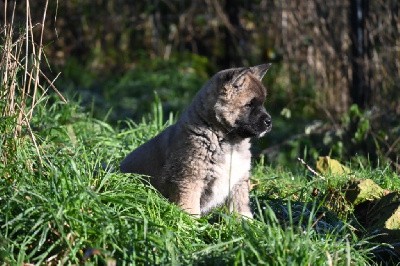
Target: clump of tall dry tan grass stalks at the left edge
[[20, 72]]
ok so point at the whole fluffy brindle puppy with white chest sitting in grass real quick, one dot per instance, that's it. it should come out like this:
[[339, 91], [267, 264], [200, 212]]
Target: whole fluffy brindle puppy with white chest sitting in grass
[[204, 159]]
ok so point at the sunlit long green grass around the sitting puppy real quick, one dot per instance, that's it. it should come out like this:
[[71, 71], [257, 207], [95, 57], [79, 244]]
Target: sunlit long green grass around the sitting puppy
[[64, 206]]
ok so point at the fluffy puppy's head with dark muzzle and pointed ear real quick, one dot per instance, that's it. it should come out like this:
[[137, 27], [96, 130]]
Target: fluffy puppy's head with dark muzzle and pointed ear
[[239, 107]]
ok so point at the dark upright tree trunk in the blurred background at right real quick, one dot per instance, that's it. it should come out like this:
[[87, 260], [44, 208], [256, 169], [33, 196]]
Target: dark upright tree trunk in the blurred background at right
[[360, 88]]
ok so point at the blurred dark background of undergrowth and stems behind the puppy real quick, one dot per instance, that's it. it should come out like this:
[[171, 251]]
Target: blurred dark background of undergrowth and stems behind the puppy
[[334, 86]]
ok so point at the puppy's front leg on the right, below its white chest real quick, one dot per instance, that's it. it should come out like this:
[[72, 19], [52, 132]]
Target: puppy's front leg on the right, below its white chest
[[239, 200]]
